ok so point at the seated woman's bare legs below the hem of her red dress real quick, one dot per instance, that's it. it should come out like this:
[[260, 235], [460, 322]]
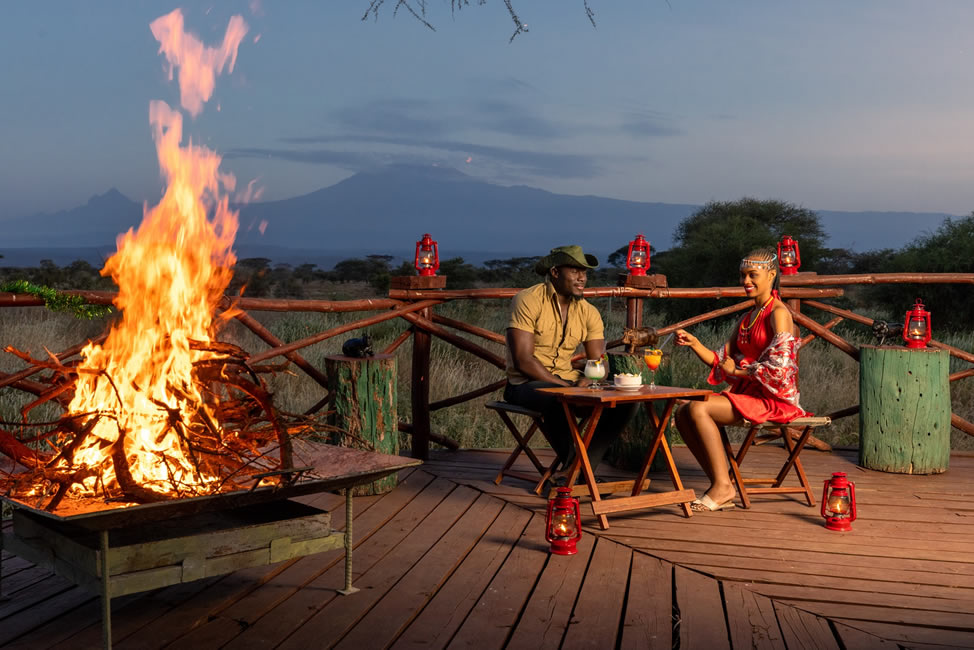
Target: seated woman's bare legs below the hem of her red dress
[[698, 422]]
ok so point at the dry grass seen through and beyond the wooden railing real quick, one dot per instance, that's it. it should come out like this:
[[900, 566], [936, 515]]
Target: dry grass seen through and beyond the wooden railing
[[829, 379]]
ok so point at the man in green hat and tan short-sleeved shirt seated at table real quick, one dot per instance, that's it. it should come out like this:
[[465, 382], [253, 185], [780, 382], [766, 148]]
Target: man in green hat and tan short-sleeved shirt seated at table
[[548, 322]]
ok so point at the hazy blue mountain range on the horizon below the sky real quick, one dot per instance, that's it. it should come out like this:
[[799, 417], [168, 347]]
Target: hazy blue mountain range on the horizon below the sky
[[386, 211]]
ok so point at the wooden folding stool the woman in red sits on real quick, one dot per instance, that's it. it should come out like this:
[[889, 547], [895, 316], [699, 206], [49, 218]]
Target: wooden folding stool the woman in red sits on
[[794, 448]]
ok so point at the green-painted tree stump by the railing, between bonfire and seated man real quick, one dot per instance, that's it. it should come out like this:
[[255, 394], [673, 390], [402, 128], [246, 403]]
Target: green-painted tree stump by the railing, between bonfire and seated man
[[363, 409]]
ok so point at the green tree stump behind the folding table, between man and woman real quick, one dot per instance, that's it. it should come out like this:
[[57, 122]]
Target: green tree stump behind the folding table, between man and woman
[[630, 448]]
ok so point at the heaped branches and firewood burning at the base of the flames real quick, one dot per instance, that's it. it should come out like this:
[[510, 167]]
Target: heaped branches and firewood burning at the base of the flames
[[238, 438]]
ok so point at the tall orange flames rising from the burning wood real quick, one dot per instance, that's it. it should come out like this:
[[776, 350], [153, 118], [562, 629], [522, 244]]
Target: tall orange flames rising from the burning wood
[[171, 274]]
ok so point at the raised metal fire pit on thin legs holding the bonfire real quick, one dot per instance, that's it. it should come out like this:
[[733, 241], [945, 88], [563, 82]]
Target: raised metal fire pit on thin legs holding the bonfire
[[142, 547]]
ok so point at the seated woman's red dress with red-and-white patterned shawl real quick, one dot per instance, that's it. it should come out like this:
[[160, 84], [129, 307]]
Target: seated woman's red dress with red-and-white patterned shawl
[[770, 391]]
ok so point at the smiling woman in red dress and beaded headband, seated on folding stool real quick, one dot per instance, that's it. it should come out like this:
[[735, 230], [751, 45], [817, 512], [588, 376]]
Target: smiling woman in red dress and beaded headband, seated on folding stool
[[760, 364]]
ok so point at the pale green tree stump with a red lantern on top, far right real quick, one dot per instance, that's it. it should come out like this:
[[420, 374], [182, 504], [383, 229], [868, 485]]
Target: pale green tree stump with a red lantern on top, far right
[[904, 410]]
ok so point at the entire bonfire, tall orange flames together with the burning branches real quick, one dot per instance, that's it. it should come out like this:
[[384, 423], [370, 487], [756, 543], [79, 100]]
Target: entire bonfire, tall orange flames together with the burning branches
[[160, 409]]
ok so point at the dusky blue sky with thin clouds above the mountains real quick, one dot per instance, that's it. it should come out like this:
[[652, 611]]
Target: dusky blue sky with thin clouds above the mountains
[[838, 105]]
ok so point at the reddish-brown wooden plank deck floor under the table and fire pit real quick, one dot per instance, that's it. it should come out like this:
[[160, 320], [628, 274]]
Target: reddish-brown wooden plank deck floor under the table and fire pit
[[448, 559]]
